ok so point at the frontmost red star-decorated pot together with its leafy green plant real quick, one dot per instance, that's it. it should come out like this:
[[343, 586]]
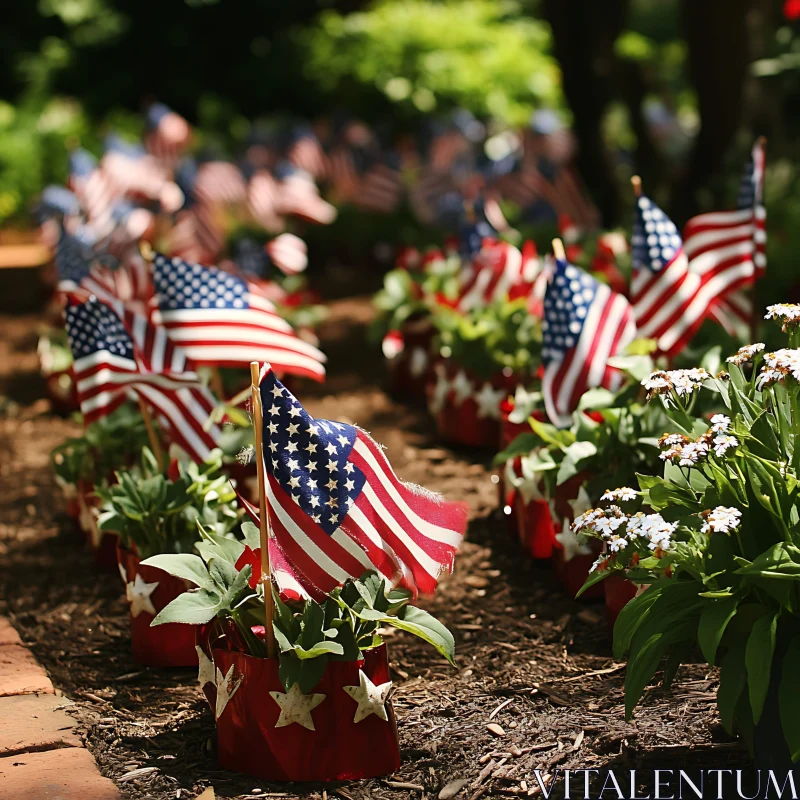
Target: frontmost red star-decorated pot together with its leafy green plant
[[321, 710]]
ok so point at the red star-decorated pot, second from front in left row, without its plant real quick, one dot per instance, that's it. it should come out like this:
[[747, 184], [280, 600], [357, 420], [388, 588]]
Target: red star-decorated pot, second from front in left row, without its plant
[[149, 590]]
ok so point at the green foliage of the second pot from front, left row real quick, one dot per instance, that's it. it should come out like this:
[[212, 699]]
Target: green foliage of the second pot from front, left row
[[159, 513]]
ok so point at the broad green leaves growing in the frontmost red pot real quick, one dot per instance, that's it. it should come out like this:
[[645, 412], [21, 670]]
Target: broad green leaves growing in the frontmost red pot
[[309, 634]]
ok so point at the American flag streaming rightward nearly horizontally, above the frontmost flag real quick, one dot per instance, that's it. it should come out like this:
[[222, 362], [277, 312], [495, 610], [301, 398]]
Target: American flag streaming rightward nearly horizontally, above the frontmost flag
[[220, 319]]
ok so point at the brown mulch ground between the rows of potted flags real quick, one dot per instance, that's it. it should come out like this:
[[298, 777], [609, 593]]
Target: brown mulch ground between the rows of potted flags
[[531, 660]]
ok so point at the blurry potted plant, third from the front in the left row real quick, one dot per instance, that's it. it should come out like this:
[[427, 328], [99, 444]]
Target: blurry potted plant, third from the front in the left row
[[83, 461]]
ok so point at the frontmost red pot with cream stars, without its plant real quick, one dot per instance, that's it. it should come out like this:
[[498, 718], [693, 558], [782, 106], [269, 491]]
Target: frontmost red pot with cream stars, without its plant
[[253, 736]]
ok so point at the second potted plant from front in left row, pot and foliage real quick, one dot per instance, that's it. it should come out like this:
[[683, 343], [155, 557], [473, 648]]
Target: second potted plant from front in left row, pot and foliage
[[156, 512]]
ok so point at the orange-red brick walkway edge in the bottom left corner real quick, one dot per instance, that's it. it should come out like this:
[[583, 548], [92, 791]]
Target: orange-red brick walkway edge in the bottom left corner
[[41, 757]]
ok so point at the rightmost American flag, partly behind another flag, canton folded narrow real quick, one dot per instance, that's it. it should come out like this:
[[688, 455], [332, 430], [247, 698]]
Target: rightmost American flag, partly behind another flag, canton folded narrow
[[728, 248]]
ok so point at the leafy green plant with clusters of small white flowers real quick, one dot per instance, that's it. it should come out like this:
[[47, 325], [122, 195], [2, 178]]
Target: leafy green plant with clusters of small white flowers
[[717, 543]]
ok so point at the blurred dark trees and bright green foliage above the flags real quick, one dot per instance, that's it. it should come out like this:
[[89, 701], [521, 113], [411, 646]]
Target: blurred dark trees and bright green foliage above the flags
[[675, 89]]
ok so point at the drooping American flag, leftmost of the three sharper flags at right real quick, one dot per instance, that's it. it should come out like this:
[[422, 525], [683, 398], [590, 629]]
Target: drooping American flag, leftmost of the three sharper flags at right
[[585, 324]]
